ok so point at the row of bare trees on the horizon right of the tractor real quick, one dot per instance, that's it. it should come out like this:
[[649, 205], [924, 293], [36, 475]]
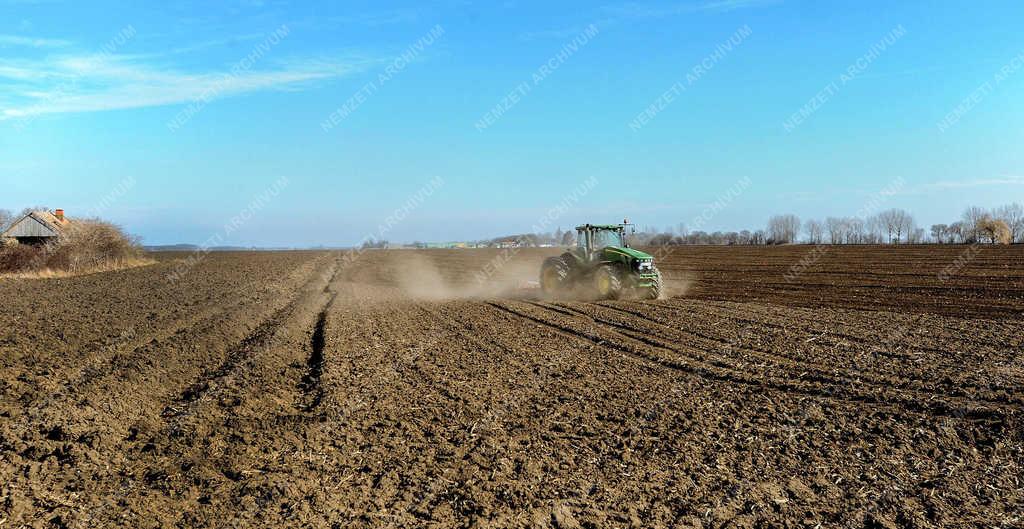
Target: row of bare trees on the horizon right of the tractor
[[1002, 226]]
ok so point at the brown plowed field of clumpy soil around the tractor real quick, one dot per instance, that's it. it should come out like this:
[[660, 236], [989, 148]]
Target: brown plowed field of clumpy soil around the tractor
[[874, 387]]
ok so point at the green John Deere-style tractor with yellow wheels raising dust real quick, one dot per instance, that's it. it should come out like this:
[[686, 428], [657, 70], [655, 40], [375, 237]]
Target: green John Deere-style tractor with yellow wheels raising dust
[[602, 267]]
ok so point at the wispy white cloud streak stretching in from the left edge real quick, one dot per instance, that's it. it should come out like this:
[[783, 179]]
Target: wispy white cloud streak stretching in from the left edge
[[97, 83]]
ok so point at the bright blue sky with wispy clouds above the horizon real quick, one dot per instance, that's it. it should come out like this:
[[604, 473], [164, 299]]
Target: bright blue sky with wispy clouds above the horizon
[[175, 118]]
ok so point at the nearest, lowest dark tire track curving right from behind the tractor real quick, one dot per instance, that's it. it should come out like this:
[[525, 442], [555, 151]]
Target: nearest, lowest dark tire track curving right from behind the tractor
[[688, 365]]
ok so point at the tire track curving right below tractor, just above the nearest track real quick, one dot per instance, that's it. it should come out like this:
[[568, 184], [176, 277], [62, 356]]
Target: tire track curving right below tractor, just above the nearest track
[[793, 367]]
